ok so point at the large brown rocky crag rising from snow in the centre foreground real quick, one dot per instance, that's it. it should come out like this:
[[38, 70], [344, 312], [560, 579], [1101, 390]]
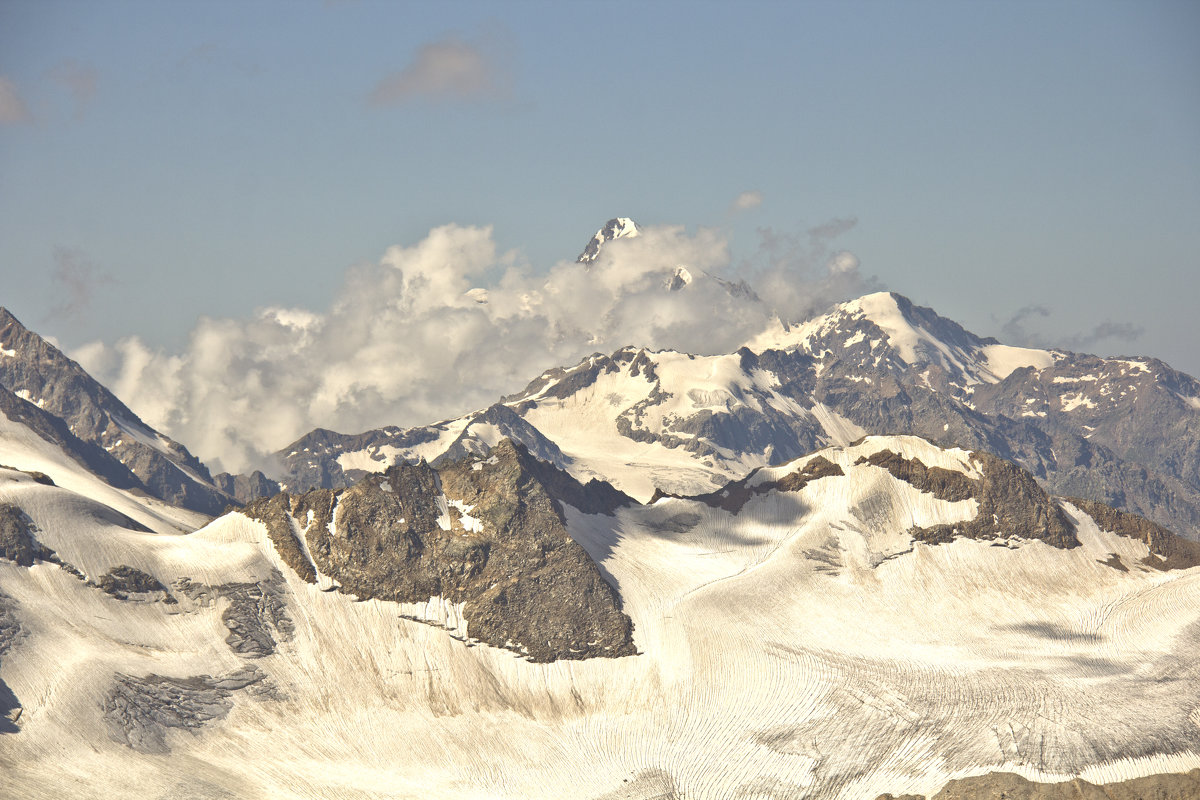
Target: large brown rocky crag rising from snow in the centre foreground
[[489, 533]]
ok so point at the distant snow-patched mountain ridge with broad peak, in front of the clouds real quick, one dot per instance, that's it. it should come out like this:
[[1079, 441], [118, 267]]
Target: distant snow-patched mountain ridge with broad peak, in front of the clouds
[[1119, 431]]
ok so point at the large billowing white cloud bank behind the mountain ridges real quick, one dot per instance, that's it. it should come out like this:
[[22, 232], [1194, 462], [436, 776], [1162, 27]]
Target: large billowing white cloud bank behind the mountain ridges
[[448, 326]]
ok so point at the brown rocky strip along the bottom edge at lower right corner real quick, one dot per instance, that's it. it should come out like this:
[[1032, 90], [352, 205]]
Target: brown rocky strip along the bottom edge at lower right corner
[[994, 786]]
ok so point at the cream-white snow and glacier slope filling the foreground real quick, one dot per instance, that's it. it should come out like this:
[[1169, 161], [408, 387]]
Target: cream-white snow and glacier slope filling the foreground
[[796, 637]]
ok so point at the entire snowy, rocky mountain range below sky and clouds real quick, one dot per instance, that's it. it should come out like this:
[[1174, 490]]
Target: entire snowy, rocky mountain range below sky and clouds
[[866, 556]]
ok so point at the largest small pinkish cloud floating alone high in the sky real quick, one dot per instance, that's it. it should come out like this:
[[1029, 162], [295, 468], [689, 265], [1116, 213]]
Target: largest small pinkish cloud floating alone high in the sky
[[451, 69]]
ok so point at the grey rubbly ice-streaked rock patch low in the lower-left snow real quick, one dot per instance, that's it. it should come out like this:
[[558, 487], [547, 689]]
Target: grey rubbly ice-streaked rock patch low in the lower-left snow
[[139, 712]]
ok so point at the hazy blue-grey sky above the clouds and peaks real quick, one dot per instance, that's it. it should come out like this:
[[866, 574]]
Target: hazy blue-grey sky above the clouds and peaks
[[1030, 170]]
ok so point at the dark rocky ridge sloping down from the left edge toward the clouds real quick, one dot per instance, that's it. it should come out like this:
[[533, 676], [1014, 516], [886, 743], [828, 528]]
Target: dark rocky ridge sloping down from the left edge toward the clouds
[[93, 414]]
